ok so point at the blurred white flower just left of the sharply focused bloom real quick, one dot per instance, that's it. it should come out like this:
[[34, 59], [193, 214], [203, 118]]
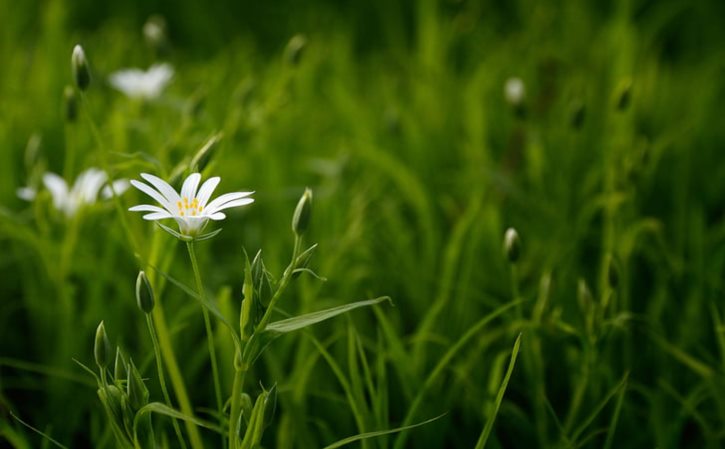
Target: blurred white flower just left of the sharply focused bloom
[[84, 191]]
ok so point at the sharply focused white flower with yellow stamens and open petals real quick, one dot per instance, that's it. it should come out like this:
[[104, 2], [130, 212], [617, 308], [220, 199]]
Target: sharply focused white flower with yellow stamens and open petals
[[191, 208]]
